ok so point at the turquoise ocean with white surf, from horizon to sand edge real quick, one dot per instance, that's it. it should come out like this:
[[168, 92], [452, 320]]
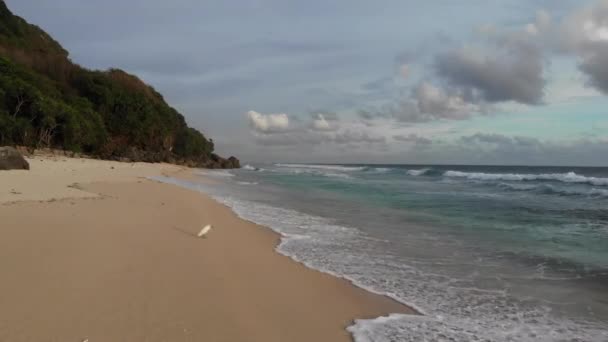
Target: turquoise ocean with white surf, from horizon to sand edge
[[485, 253]]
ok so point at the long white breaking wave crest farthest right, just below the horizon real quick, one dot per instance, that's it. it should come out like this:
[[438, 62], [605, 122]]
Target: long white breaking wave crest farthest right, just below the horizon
[[569, 177]]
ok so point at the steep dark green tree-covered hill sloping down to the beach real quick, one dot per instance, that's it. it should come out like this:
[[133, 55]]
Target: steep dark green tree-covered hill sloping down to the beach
[[46, 100]]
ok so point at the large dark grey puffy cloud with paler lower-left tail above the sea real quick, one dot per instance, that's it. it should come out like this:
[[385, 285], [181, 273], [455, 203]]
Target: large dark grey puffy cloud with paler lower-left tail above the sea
[[466, 80]]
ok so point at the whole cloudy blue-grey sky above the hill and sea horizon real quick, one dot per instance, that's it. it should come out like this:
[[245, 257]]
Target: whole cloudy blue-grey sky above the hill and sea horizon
[[520, 82]]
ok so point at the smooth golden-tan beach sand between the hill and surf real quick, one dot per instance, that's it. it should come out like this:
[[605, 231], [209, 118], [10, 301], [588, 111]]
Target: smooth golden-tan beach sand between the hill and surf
[[115, 258]]
